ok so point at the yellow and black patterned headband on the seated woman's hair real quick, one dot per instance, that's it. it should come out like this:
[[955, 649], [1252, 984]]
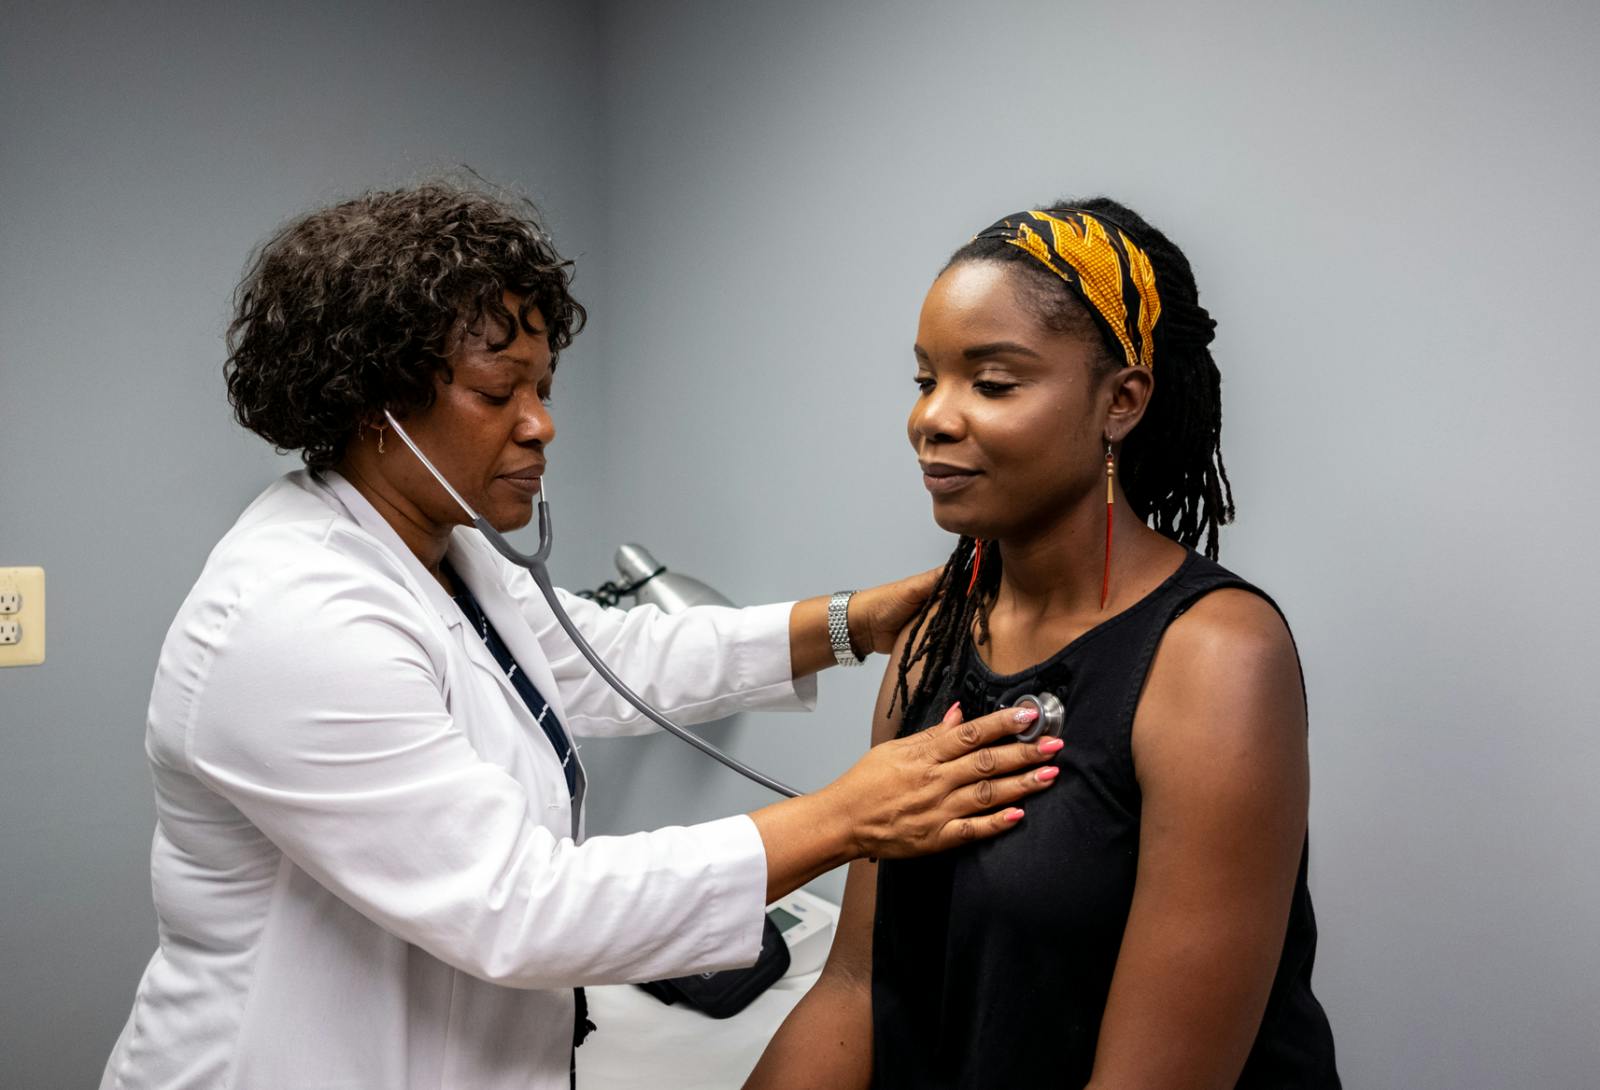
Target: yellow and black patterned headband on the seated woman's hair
[[1100, 263]]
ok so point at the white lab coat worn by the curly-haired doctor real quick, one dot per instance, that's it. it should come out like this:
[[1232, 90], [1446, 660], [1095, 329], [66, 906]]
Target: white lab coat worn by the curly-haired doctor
[[366, 868]]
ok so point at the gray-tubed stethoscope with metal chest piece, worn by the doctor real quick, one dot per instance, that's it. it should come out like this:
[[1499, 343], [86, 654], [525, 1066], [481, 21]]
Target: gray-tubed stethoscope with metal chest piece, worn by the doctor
[[1050, 719]]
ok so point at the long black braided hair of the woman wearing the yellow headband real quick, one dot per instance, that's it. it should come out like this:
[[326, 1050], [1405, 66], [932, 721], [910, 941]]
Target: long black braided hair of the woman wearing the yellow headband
[[1170, 467]]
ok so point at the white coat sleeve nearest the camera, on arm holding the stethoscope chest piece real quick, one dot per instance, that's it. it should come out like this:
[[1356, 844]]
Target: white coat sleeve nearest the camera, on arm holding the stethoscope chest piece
[[318, 710]]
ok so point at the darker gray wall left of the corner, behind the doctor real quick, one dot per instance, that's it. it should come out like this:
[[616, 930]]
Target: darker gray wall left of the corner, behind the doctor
[[146, 150]]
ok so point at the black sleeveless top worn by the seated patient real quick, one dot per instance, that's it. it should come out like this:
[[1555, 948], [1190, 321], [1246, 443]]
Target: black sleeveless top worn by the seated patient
[[966, 995]]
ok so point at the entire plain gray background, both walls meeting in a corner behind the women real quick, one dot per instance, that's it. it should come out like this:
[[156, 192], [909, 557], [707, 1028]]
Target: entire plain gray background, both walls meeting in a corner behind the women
[[1390, 210]]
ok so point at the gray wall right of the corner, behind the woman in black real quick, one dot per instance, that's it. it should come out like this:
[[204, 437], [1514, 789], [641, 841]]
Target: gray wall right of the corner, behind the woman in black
[[1391, 210]]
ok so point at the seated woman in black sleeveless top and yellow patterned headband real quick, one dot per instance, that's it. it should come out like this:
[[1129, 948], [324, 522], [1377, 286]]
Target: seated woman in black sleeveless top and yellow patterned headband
[[1148, 926]]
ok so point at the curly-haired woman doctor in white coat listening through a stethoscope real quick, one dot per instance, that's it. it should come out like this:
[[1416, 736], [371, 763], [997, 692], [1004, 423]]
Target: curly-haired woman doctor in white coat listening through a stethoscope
[[369, 864]]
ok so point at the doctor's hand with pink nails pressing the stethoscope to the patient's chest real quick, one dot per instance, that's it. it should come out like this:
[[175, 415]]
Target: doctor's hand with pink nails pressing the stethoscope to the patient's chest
[[926, 793]]
